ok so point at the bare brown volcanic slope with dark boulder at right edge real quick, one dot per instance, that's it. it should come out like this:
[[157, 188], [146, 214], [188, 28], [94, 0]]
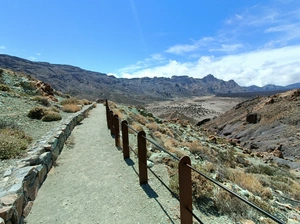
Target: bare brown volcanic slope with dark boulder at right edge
[[264, 124]]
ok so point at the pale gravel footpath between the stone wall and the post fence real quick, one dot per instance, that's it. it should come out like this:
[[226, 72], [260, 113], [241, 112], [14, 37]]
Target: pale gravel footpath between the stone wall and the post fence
[[93, 184]]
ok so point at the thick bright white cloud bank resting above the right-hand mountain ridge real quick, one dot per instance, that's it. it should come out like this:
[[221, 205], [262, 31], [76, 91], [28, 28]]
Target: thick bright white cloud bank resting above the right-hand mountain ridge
[[267, 66]]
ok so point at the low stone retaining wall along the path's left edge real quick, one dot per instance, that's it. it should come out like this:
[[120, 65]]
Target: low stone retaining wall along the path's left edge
[[19, 186]]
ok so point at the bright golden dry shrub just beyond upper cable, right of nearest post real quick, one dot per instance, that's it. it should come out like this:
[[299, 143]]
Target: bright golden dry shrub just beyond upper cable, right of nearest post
[[248, 181]]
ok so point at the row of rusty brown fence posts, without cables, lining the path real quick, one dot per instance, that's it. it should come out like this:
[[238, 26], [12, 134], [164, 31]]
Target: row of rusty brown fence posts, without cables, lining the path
[[185, 179]]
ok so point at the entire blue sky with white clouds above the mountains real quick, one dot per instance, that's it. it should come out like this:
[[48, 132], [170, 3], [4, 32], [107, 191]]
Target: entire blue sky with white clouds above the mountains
[[252, 42]]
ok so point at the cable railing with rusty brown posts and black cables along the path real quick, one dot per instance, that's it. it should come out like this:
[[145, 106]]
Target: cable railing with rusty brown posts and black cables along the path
[[182, 162]]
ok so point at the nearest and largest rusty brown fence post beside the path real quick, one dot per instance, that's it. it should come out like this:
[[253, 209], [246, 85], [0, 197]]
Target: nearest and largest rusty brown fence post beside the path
[[185, 190]]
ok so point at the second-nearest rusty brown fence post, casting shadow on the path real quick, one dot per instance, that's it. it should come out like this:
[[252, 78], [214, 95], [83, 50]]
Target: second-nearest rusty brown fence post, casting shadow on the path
[[142, 154]]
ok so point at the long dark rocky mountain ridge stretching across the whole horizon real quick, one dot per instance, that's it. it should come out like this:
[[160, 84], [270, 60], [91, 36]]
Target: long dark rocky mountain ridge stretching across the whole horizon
[[93, 85]]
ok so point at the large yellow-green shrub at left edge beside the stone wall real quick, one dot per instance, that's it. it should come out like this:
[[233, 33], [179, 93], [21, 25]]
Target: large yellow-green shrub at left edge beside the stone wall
[[13, 143]]
